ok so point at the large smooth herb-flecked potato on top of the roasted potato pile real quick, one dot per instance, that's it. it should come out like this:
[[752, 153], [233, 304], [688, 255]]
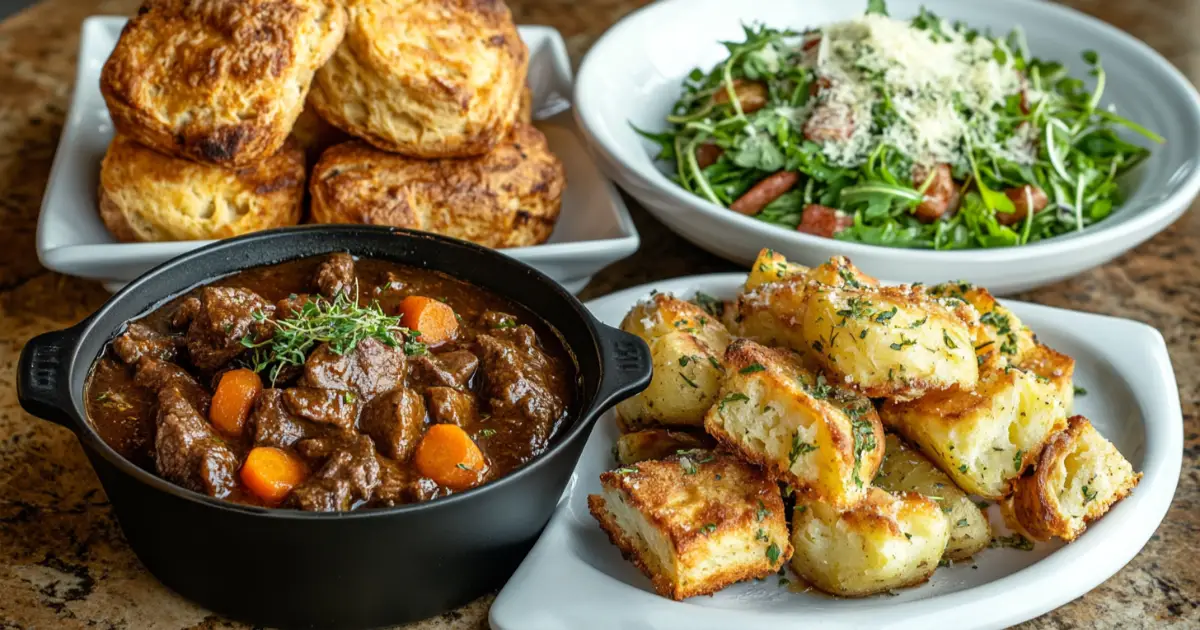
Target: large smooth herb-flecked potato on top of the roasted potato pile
[[889, 343]]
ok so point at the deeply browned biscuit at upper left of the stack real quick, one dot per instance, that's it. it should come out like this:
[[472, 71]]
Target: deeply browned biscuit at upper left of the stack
[[219, 82]]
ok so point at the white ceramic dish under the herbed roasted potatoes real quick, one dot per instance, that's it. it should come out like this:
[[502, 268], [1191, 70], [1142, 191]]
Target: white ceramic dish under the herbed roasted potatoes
[[574, 578]]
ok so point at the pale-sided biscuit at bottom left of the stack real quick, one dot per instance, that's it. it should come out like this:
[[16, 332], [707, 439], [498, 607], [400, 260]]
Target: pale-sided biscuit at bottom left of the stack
[[146, 196]]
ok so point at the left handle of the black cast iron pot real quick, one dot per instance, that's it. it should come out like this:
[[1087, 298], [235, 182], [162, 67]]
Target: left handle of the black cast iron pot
[[44, 377]]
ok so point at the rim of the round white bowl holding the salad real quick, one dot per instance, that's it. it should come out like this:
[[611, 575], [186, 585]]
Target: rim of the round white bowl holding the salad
[[1181, 195]]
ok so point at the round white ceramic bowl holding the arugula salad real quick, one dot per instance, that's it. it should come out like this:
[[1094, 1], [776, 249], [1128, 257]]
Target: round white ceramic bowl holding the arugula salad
[[634, 75]]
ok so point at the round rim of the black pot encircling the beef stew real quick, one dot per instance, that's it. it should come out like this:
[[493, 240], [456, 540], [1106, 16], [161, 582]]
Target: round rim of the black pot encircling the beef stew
[[592, 407]]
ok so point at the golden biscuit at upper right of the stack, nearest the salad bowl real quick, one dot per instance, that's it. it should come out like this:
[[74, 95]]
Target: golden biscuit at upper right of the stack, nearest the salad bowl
[[427, 79]]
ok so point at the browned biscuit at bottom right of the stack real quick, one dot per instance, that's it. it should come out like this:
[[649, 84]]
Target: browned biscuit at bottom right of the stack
[[509, 197]]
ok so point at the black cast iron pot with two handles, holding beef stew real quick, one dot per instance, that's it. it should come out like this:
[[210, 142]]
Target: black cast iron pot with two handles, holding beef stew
[[357, 569]]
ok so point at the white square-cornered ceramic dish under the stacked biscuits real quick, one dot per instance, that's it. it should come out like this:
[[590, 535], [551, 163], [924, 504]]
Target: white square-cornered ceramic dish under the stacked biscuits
[[593, 231]]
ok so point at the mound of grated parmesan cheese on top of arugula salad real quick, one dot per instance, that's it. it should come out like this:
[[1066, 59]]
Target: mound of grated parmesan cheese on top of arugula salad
[[943, 92]]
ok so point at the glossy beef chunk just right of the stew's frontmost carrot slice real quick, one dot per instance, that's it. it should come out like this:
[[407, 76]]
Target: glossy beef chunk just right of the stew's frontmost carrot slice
[[349, 476]]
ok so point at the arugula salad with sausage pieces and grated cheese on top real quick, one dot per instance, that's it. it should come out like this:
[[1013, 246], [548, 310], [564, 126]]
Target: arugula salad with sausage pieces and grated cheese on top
[[905, 134]]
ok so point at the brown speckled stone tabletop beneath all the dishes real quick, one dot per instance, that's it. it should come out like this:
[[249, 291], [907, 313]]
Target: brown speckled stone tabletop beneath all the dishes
[[63, 560]]
